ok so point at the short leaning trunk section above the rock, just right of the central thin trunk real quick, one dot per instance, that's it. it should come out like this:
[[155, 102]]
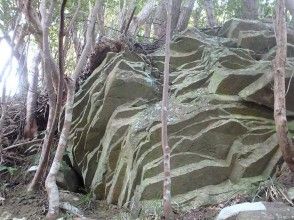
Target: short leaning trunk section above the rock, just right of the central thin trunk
[[185, 15]]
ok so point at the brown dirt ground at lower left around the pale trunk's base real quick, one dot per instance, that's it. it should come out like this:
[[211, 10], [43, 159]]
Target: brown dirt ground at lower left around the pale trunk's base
[[19, 204]]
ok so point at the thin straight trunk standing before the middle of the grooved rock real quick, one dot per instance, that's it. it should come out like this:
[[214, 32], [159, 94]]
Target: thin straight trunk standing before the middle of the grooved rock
[[164, 116]]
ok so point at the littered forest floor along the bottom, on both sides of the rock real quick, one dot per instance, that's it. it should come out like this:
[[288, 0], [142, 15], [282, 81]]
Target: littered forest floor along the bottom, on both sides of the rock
[[16, 203]]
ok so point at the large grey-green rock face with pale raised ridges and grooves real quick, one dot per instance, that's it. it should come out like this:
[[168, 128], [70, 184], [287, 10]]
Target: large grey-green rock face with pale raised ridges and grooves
[[220, 123]]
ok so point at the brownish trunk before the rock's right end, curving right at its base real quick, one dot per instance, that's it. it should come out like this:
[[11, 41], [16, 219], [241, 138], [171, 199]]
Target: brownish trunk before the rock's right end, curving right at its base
[[279, 64]]
